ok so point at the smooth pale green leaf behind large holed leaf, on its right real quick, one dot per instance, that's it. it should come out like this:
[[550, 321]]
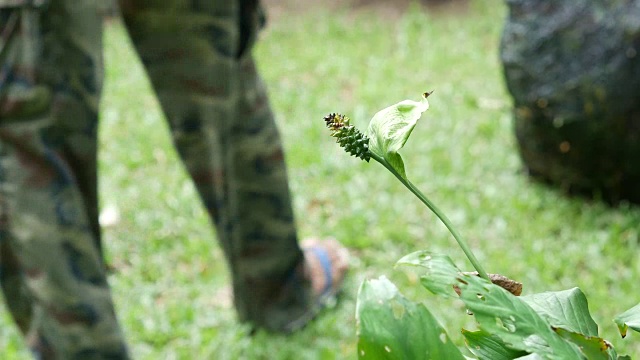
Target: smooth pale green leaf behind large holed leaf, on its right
[[567, 309]]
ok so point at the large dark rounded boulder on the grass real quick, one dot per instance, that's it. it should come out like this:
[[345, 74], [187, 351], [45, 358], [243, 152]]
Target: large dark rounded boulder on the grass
[[573, 69]]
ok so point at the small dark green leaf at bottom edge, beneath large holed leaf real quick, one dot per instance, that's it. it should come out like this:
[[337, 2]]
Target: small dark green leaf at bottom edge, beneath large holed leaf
[[488, 347]]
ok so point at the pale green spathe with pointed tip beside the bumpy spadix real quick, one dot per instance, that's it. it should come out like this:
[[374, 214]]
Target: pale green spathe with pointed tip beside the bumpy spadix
[[390, 128]]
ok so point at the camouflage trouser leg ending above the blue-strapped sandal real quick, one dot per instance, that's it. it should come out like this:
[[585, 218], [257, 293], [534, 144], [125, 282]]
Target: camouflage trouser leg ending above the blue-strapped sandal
[[198, 56]]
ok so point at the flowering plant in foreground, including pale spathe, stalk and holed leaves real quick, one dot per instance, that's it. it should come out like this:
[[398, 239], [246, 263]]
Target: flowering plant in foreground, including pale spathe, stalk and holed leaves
[[549, 325]]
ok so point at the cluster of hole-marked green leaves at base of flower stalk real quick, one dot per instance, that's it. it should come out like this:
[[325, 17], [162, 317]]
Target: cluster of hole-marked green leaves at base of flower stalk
[[550, 325]]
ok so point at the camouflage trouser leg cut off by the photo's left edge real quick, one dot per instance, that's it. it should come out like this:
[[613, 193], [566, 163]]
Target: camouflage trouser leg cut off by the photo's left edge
[[52, 273]]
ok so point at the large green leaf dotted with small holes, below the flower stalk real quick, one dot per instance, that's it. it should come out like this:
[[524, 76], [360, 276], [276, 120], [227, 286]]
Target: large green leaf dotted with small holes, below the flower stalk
[[497, 311]]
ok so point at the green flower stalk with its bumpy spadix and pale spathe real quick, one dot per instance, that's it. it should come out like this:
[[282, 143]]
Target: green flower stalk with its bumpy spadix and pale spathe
[[387, 133]]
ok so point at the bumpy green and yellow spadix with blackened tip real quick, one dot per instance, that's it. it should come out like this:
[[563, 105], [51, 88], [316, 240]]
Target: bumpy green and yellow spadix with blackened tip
[[351, 139]]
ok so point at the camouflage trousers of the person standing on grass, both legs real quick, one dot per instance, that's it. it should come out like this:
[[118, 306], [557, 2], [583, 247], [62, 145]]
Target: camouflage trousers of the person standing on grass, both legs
[[198, 56]]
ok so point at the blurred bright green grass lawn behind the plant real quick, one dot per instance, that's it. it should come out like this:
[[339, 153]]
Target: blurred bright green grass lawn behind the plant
[[170, 281]]
